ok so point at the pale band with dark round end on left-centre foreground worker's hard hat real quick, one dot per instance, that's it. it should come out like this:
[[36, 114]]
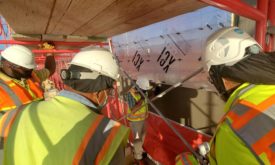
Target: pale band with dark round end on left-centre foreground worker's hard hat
[[66, 74]]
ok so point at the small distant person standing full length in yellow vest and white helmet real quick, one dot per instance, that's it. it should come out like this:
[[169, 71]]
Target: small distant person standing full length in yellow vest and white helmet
[[137, 113]]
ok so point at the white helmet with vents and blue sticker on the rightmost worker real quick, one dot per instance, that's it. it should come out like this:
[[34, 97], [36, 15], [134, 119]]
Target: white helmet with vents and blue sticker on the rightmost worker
[[227, 46]]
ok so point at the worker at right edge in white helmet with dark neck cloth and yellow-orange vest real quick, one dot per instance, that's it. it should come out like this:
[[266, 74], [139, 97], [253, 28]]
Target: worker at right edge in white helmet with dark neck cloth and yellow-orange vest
[[245, 77]]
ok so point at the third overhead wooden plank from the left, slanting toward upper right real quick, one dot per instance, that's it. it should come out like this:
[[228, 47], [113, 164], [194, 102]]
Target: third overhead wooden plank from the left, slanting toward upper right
[[120, 12]]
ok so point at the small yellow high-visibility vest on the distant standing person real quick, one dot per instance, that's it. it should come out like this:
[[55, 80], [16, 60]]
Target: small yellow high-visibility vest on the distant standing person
[[142, 113]]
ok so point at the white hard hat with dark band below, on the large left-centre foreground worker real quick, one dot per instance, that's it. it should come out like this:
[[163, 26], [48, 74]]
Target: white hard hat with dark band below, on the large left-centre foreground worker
[[99, 60]]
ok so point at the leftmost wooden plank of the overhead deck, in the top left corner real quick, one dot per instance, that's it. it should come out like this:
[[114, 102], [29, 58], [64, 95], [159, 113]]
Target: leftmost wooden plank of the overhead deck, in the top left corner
[[27, 17]]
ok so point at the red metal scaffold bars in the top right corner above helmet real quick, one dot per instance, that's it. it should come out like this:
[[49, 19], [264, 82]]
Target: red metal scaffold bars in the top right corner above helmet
[[263, 14]]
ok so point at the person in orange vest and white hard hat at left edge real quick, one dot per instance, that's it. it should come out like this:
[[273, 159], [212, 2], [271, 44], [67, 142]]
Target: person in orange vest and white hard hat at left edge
[[19, 82]]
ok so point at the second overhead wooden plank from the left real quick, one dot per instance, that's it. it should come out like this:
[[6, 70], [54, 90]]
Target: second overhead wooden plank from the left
[[75, 15]]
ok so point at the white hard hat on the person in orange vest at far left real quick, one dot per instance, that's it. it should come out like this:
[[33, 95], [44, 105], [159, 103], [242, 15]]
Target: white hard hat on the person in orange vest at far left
[[19, 55]]
